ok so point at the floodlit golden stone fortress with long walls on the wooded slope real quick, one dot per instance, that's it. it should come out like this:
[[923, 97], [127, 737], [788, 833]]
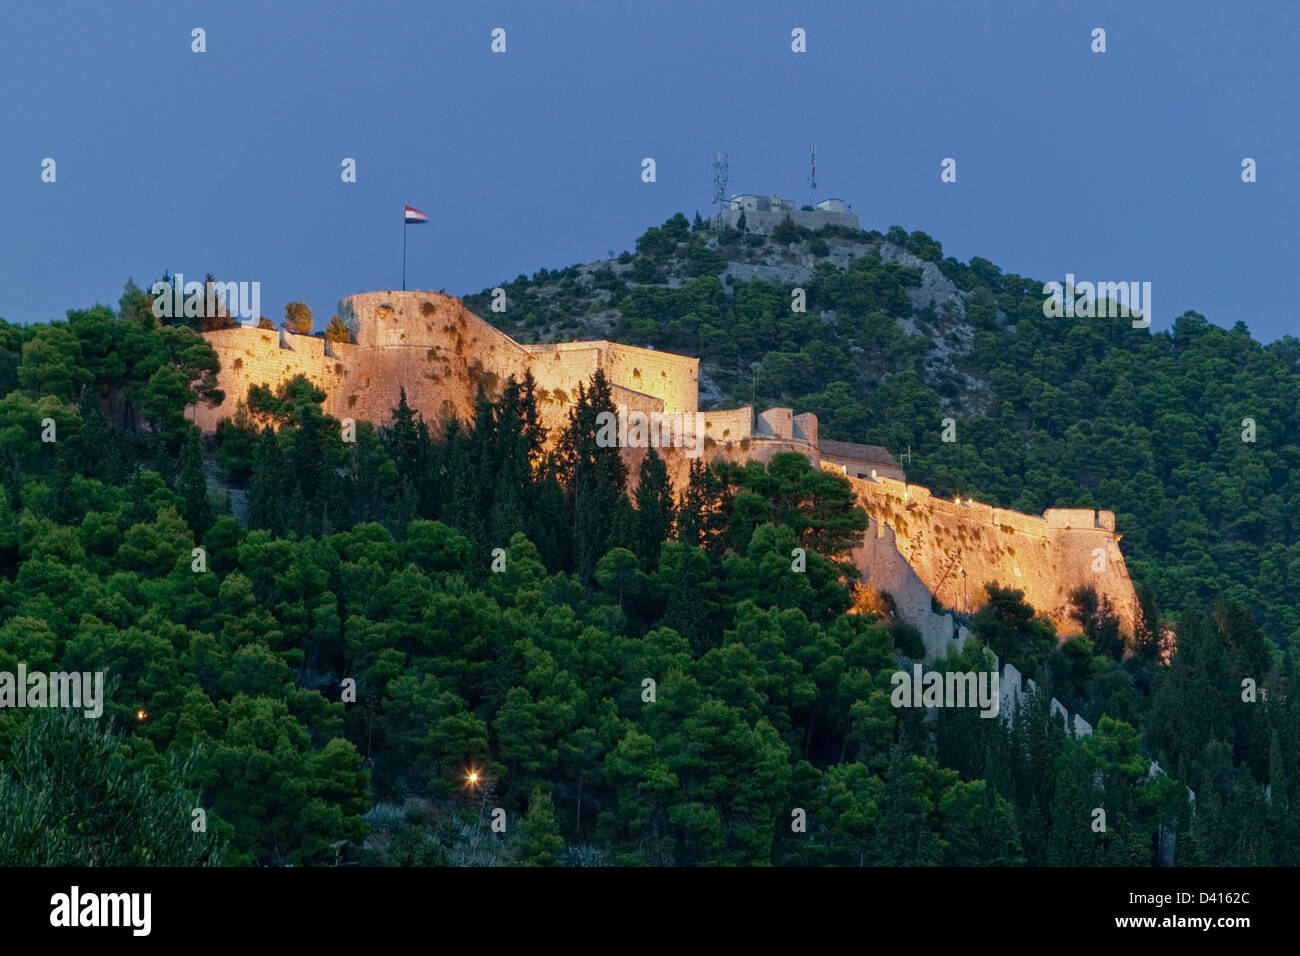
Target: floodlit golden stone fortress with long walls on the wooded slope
[[926, 552]]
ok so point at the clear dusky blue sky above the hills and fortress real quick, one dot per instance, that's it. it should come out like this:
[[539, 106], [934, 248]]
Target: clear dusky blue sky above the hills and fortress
[[1116, 167]]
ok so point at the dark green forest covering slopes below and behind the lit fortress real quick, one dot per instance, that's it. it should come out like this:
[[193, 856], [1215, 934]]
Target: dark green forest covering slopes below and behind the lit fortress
[[432, 624]]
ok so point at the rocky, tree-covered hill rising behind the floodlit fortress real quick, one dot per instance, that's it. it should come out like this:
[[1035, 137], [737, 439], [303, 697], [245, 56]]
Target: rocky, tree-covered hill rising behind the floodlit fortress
[[1048, 412]]
